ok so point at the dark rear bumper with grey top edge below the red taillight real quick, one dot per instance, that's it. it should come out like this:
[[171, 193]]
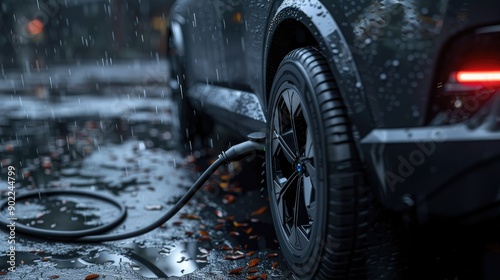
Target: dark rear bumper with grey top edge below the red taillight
[[442, 171]]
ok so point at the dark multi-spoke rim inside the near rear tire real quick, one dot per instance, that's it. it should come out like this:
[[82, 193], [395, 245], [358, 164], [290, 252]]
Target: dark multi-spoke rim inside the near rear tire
[[293, 169]]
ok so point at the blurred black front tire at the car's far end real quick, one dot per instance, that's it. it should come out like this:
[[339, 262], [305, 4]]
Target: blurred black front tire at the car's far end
[[194, 125]]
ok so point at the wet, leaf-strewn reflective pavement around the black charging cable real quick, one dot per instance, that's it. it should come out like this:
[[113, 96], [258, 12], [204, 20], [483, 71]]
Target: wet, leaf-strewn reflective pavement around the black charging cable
[[126, 146]]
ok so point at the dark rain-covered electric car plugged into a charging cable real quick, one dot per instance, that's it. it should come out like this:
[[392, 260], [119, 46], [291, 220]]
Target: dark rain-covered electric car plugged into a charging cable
[[369, 108]]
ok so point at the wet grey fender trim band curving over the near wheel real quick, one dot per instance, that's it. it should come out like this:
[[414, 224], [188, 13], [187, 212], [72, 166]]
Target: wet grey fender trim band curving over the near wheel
[[317, 19]]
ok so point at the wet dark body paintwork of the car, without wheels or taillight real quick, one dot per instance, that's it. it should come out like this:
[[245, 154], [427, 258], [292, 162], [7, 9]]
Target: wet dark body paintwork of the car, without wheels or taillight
[[386, 57]]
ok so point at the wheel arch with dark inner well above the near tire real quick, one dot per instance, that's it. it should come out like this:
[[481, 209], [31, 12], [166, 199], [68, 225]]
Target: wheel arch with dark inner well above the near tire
[[296, 24]]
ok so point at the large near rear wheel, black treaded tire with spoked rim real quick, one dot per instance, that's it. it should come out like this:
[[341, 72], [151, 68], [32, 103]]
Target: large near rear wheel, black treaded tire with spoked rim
[[317, 189]]
